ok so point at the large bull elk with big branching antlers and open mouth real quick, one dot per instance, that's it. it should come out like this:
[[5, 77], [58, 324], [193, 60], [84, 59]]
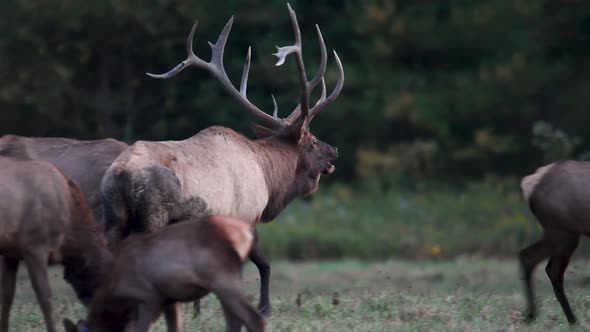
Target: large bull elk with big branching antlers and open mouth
[[220, 171]]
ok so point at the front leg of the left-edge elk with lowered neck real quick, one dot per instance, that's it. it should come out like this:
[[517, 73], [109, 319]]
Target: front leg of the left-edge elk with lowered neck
[[37, 267]]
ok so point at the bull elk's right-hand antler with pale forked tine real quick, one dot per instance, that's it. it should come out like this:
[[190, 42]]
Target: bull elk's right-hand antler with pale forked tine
[[308, 86]]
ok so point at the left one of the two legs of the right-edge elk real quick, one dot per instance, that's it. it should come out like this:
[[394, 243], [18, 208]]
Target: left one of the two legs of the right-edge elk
[[529, 258]]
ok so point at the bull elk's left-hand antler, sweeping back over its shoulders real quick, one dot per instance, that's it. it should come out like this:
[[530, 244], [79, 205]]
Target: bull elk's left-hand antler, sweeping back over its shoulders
[[215, 67]]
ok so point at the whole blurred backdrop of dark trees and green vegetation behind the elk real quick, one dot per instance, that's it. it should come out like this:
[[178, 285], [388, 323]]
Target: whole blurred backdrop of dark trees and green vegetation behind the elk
[[445, 103]]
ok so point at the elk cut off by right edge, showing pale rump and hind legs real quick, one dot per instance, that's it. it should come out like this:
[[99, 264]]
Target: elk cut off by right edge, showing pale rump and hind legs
[[557, 195]]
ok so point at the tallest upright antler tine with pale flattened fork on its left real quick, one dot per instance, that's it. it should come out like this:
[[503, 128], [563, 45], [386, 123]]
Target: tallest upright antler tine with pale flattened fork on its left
[[296, 48]]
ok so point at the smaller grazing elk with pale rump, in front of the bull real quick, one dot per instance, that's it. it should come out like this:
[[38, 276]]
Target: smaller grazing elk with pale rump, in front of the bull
[[182, 262]]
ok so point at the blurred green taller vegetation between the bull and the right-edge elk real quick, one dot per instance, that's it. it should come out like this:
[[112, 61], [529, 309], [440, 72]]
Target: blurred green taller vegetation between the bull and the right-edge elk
[[488, 217]]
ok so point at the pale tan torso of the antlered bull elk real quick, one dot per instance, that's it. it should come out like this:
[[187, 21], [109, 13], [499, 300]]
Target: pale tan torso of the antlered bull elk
[[226, 157]]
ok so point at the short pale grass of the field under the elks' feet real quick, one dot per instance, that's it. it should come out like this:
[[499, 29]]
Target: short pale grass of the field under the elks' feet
[[463, 294]]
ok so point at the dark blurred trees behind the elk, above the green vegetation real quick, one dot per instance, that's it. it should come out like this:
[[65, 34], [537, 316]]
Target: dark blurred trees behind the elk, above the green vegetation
[[469, 78]]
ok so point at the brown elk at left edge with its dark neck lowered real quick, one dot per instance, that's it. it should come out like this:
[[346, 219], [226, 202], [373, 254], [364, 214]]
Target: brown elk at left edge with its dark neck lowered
[[44, 219]]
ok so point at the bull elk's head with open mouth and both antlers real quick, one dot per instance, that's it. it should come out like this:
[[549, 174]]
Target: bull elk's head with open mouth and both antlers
[[315, 157]]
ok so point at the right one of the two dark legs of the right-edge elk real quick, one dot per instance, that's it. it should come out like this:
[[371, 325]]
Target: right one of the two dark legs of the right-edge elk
[[558, 262]]
